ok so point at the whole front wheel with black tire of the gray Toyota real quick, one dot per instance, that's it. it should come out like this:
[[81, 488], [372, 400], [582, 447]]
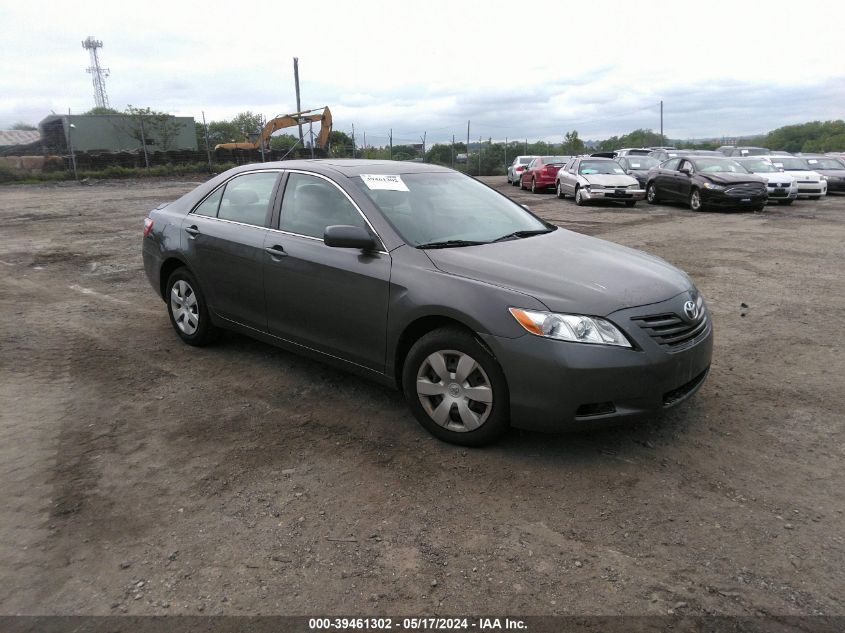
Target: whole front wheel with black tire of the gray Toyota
[[455, 388]]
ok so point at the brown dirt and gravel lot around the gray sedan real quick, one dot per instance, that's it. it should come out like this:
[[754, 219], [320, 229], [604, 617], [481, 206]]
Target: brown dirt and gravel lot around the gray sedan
[[144, 476]]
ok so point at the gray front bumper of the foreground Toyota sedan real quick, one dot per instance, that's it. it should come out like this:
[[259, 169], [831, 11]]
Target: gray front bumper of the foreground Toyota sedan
[[557, 385]]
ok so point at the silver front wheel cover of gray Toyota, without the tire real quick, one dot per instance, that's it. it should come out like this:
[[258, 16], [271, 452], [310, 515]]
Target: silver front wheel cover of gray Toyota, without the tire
[[454, 390]]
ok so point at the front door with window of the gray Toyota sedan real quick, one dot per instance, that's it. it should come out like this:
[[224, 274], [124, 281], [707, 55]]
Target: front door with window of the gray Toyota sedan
[[333, 300]]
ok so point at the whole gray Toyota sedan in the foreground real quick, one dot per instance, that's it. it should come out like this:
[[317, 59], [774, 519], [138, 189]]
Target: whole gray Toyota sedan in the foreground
[[425, 279]]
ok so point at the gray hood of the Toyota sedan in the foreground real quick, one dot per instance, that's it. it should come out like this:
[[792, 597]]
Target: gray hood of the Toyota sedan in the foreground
[[568, 272]]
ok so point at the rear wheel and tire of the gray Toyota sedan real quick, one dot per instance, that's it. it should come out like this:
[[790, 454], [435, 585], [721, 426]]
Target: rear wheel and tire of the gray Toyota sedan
[[187, 309]]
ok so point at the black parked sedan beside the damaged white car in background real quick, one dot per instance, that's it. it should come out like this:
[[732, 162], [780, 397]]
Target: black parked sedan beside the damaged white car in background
[[706, 181]]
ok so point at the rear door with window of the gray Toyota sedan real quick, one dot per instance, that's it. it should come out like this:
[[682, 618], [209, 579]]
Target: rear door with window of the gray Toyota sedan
[[223, 240]]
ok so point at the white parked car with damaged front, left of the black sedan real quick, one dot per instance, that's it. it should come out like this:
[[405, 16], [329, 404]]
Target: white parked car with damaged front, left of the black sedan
[[591, 178]]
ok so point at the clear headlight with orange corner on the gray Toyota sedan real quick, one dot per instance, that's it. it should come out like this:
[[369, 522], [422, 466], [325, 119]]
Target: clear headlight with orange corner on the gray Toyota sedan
[[570, 327]]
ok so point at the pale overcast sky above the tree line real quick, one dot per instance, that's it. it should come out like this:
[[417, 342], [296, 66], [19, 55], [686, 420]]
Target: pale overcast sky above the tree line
[[517, 69]]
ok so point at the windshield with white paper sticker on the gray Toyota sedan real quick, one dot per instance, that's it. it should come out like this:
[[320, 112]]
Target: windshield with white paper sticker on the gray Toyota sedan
[[439, 207]]
